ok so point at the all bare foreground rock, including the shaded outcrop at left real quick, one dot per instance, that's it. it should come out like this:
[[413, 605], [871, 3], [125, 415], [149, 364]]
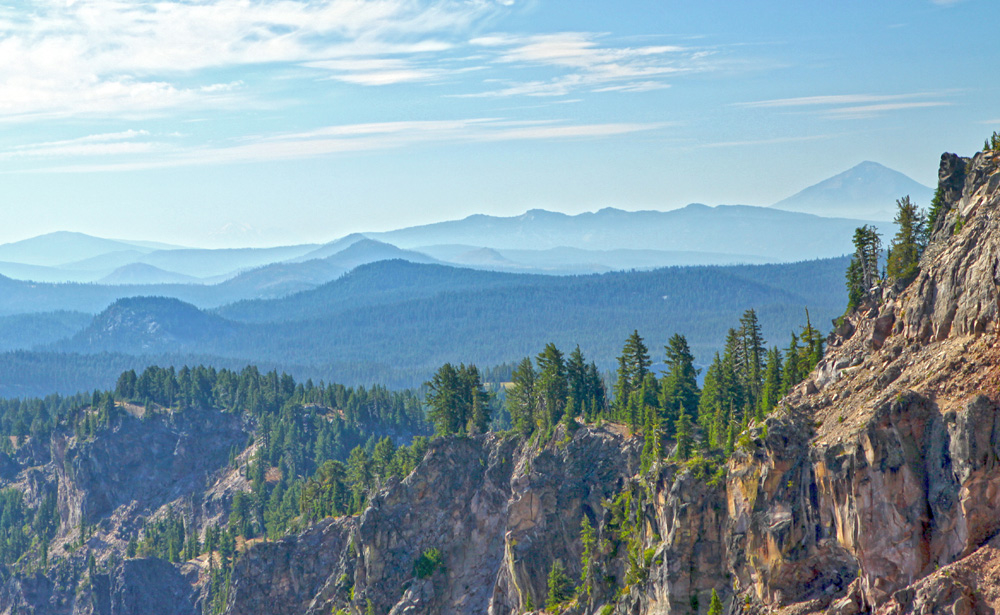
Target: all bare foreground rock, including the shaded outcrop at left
[[873, 488]]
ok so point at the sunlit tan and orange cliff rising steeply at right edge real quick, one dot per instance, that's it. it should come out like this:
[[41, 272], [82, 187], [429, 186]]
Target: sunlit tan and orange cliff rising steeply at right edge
[[891, 470]]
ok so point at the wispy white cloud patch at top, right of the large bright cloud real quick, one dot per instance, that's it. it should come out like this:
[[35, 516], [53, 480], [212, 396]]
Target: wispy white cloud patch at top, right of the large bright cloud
[[584, 62]]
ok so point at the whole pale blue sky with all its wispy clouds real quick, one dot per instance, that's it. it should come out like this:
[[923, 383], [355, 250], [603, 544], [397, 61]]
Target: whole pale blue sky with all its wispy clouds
[[224, 123]]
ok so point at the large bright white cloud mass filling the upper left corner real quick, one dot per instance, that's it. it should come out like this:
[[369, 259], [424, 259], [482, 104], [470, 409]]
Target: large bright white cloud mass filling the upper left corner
[[107, 57]]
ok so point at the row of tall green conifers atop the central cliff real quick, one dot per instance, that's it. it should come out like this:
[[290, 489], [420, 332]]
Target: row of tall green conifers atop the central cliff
[[742, 383]]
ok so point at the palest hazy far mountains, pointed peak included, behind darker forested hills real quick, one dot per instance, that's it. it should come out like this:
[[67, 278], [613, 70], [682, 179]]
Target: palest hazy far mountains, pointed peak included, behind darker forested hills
[[817, 222]]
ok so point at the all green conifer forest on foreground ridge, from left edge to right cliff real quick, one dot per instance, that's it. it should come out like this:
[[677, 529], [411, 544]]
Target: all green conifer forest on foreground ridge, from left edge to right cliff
[[318, 450]]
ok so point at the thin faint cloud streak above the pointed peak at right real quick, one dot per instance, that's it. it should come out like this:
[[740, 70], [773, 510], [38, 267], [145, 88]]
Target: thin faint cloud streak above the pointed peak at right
[[853, 106]]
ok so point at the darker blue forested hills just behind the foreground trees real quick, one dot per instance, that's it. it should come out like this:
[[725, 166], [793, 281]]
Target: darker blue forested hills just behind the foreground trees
[[395, 322]]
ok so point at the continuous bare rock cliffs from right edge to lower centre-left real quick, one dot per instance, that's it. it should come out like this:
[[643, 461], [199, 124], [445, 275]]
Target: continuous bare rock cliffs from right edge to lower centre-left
[[874, 487]]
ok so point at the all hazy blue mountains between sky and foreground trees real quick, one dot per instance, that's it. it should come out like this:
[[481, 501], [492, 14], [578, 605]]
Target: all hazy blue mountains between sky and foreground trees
[[391, 306]]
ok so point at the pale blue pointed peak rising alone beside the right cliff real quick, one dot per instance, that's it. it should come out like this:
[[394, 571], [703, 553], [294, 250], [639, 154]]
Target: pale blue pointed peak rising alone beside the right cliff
[[867, 191]]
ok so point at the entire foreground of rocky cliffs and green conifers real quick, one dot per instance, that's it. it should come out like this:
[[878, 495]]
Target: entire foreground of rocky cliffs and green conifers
[[871, 486]]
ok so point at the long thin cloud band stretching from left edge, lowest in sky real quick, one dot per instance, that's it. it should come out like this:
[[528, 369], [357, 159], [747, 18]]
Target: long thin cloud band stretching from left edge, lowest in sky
[[326, 141]]
